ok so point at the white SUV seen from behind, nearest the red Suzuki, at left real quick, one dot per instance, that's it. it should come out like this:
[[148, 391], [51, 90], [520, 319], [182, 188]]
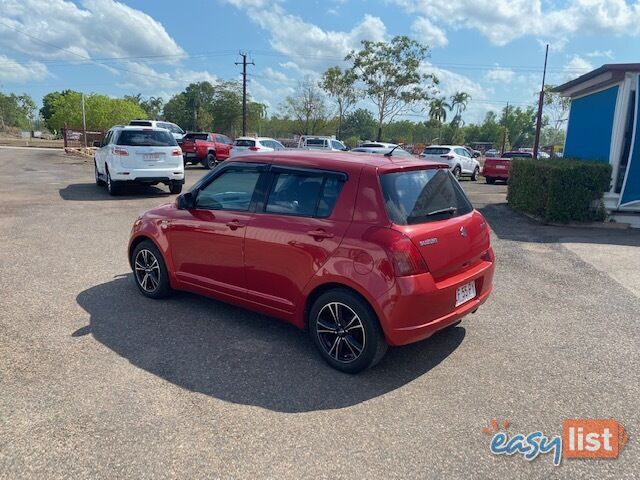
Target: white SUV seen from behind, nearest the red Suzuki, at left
[[142, 155]]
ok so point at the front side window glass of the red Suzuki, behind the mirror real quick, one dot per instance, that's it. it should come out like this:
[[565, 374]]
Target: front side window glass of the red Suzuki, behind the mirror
[[232, 190]]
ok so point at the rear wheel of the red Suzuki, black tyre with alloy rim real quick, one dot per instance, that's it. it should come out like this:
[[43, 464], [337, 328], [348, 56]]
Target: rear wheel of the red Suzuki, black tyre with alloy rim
[[346, 331]]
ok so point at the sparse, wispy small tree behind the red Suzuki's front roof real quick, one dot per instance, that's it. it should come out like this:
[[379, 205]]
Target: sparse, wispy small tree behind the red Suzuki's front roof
[[308, 107]]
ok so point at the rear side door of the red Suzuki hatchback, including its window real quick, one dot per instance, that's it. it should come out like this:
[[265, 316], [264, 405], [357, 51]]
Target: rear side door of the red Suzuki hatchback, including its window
[[292, 235]]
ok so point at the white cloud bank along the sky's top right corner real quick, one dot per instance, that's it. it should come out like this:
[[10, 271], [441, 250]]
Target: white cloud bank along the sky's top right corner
[[501, 21]]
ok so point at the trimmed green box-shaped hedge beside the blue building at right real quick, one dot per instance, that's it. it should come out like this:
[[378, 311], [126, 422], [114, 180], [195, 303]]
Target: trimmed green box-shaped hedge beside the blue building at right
[[559, 190]]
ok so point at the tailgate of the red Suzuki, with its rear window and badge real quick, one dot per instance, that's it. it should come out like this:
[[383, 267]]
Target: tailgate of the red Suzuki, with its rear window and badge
[[430, 207]]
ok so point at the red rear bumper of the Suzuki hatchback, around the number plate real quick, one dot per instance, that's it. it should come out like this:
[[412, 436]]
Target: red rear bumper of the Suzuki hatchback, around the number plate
[[418, 306]]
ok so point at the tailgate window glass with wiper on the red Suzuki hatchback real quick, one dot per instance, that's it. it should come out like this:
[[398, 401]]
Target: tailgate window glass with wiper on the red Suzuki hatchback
[[421, 196]]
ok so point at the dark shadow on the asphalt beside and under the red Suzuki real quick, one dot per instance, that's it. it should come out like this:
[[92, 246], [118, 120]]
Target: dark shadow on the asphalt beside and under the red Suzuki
[[239, 356]]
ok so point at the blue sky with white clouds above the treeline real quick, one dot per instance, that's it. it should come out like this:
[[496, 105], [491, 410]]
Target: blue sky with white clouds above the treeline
[[491, 49]]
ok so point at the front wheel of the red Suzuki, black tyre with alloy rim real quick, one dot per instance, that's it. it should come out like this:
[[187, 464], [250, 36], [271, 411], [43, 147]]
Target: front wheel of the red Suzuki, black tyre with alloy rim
[[150, 271]]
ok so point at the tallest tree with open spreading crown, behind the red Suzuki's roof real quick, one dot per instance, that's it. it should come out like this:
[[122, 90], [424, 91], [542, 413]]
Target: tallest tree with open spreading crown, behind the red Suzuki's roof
[[390, 73]]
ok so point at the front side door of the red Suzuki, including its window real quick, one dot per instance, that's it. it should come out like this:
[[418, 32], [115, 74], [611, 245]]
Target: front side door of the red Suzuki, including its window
[[207, 241]]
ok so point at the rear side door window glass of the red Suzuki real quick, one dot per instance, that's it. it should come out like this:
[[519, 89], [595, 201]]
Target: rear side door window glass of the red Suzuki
[[303, 194]]
